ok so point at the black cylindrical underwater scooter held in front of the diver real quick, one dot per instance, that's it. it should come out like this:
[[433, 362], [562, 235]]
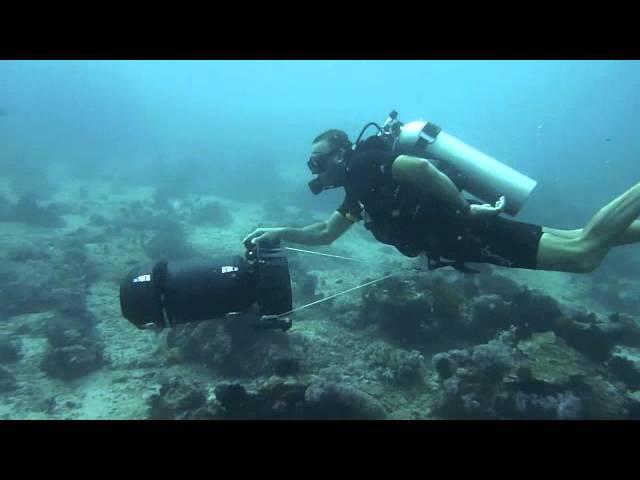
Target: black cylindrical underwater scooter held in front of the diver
[[256, 286]]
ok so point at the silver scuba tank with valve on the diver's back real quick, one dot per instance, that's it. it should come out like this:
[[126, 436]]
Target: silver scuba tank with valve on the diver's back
[[479, 174]]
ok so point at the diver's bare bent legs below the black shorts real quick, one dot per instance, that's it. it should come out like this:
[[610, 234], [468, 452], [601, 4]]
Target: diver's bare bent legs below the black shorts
[[612, 225]]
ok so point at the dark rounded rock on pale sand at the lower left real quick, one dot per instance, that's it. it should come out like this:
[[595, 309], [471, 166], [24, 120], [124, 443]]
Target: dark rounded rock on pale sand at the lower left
[[72, 361]]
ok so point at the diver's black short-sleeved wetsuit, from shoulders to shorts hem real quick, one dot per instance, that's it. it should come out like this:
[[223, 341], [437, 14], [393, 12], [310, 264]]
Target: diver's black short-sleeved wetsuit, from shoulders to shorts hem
[[415, 224]]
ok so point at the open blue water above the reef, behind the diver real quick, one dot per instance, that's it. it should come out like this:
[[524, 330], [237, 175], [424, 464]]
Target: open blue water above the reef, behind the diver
[[572, 125]]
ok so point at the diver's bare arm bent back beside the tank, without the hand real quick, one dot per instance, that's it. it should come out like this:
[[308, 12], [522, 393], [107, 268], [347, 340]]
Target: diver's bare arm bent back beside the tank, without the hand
[[422, 174]]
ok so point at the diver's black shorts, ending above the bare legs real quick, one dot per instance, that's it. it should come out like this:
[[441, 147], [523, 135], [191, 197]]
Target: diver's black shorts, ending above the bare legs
[[502, 242]]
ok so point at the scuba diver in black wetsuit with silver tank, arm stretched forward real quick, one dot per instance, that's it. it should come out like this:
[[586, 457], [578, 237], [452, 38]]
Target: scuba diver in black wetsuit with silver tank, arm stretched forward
[[406, 185]]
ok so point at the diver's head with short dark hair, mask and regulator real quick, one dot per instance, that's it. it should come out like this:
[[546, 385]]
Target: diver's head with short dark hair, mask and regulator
[[327, 160]]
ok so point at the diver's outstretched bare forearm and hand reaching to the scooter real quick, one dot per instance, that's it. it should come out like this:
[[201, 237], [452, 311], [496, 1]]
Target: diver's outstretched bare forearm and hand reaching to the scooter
[[321, 233]]
